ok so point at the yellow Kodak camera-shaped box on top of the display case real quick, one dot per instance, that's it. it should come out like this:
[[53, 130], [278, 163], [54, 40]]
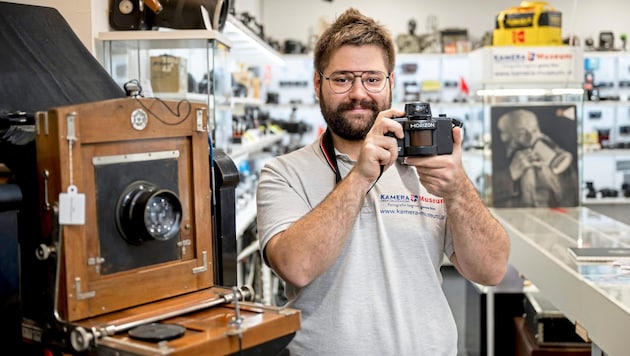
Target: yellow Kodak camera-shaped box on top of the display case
[[533, 23]]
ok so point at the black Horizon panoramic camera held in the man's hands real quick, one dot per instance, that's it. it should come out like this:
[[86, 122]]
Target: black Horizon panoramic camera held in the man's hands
[[425, 135]]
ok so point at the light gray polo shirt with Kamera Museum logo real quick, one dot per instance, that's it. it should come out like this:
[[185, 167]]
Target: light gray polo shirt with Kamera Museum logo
[[383, 295]]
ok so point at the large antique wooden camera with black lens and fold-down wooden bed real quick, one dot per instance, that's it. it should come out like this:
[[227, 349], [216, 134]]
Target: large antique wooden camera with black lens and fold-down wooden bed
[[126, 248]]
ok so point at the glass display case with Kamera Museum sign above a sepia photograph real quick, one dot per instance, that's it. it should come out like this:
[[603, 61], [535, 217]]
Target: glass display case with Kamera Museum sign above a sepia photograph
[[531, 94]]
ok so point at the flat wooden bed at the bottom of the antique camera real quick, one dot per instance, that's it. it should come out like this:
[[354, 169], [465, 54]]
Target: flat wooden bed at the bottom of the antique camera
[[207, 331]]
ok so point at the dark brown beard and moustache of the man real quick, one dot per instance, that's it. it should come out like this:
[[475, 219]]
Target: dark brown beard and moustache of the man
[[351, 128]]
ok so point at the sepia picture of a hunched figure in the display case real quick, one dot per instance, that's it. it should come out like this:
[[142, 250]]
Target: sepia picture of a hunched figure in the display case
[[534, 156]]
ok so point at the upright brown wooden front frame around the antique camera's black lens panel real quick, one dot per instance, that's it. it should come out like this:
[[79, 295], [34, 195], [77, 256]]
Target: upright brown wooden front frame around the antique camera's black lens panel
[[106, 129]]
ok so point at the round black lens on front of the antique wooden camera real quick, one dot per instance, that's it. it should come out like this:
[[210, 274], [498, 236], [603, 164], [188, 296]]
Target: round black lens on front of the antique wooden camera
[[145, 213]]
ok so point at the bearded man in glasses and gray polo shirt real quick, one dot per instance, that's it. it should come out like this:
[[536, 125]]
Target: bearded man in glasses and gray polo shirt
[[359, 237]]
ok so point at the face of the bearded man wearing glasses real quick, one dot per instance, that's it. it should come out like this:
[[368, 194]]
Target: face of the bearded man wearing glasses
[[351, 115]]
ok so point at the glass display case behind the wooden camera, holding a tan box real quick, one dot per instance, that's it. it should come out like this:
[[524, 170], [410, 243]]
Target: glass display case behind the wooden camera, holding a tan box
[[175, 65]]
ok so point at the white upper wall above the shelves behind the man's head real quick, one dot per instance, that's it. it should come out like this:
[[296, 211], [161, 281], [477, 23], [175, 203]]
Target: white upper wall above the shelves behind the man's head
[[297, 19]]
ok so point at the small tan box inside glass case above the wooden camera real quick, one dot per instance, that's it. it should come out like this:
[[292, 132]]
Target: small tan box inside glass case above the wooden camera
[[169, 74]]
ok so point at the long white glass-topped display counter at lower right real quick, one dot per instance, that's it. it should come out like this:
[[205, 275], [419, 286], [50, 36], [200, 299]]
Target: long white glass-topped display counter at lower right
[[593, 295]]
